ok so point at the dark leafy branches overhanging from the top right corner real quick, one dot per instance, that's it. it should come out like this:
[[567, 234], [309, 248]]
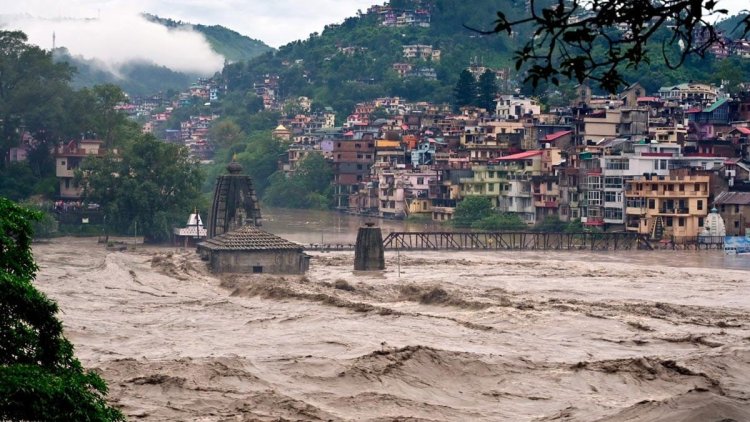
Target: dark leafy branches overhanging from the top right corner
[[582, 39]]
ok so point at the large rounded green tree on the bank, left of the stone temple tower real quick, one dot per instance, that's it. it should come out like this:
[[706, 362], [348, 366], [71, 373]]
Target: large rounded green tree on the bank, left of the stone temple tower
[[151, 184]]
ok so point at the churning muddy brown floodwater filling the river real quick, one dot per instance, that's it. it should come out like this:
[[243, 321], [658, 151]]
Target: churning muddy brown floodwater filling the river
[[452, 336]]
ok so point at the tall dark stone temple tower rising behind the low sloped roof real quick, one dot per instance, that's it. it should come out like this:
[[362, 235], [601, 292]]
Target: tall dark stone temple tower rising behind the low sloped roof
[[234, 204]]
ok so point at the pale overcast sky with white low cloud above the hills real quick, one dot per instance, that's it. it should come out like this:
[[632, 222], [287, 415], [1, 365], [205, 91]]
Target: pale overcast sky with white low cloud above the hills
[[112, 31]]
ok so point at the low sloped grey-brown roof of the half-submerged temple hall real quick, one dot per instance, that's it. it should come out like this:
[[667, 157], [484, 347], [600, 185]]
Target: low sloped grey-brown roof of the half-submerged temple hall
[[248, 238]]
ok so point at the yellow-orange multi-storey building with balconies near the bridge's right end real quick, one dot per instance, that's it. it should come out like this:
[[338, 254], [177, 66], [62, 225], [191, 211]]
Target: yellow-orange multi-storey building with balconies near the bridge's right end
[[664, 206]]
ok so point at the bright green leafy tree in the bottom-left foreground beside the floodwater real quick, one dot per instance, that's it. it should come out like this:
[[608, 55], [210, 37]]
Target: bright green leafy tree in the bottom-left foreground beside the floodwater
[[40, 378]]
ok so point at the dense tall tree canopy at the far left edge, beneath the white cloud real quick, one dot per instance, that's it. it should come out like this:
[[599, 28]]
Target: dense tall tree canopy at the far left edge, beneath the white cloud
[[38, 104]]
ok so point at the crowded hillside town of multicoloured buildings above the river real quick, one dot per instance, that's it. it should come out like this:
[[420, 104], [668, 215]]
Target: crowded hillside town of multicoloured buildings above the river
[[654, 163]]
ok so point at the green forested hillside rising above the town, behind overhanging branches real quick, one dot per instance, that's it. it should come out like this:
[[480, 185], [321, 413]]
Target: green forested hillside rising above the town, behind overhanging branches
[[354, 61]]
